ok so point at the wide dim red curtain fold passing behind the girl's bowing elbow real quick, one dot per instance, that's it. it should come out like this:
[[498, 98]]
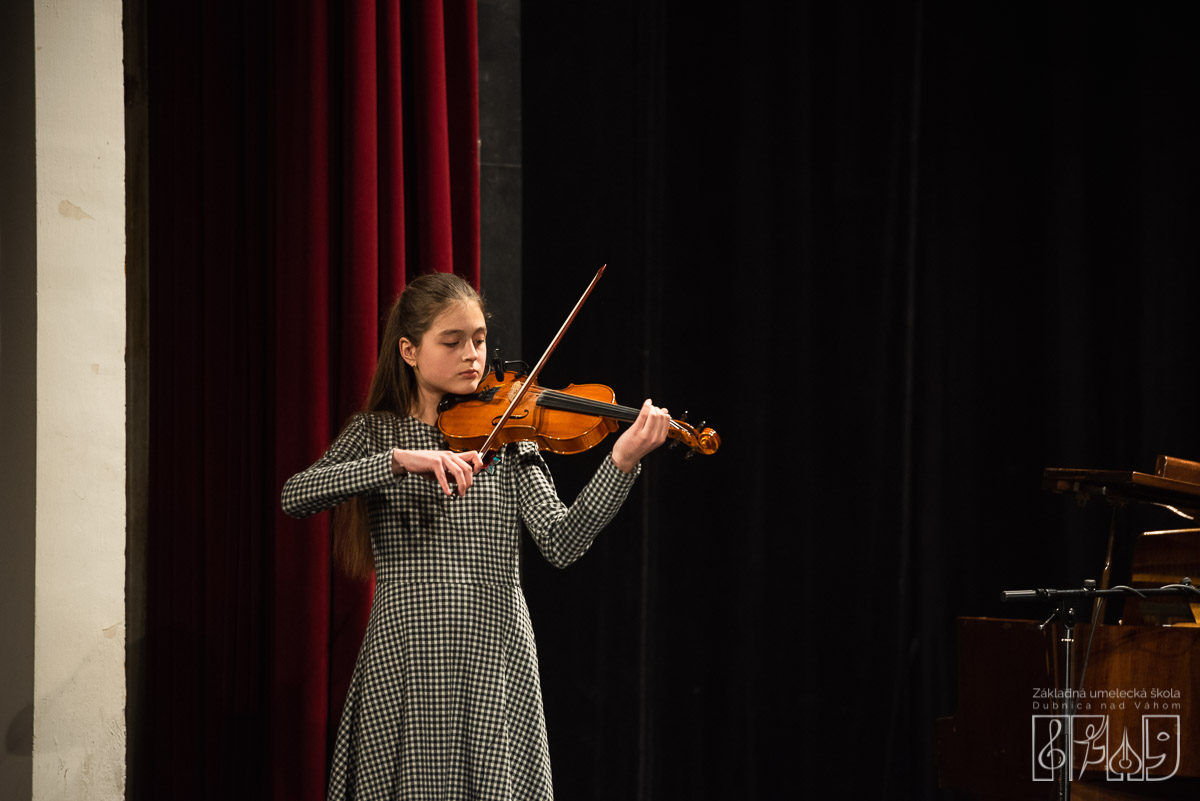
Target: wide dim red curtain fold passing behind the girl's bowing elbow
[[299, 658]]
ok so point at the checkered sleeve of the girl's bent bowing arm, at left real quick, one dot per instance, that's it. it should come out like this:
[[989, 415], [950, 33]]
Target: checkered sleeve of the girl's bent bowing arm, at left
[[347, 469]]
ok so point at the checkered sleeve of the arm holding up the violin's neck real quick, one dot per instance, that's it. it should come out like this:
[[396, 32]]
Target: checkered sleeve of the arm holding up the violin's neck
[[566, 533]]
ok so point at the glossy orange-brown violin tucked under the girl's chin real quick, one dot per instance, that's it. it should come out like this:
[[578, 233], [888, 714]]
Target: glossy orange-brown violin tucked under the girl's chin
[[565, 421]]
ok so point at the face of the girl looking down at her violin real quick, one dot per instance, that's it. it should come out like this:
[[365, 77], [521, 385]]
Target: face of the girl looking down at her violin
[[452, 356]]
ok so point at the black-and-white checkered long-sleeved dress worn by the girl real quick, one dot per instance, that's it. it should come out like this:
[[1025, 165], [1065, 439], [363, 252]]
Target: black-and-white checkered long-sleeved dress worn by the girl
[[446, 701]]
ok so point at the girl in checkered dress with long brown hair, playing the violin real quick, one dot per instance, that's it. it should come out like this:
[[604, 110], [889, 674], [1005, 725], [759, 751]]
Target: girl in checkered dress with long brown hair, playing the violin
[[446, 700]]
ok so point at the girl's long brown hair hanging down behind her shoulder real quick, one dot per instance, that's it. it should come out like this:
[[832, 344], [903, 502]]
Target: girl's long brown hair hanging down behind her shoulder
[[394, 393]]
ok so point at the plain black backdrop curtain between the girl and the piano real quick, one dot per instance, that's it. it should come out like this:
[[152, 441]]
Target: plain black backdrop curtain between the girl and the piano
[[903, 257]]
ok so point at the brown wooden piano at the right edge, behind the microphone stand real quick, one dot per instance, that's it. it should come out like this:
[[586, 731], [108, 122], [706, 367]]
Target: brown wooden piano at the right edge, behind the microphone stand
[[1136, 724]]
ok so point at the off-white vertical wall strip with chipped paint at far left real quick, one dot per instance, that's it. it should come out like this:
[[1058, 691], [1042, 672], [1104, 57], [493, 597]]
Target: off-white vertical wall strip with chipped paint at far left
[[79, 745]]
